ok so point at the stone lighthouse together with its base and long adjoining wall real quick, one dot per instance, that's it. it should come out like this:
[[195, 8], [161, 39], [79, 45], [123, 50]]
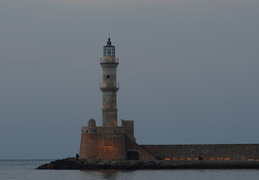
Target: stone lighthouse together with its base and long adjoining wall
[[118, 143]]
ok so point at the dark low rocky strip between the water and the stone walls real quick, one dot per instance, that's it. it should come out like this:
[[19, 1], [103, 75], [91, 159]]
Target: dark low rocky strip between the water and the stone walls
[[81, 164]]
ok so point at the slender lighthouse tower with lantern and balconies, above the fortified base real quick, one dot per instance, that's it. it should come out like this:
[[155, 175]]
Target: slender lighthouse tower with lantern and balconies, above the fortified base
[[109, 87]]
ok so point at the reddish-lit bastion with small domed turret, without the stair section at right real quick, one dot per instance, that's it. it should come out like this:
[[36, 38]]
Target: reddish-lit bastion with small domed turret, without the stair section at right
[[102, 143]]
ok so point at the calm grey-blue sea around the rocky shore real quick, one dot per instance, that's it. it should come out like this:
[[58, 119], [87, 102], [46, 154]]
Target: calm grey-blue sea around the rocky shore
[[25, 170]]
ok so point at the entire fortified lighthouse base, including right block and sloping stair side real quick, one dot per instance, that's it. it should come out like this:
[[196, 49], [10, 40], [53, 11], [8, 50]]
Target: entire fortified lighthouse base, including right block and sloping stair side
[[111, 143]]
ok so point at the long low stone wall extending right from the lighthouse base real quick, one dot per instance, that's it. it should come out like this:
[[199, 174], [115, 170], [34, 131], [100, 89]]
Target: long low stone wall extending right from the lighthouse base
[[205, 152]]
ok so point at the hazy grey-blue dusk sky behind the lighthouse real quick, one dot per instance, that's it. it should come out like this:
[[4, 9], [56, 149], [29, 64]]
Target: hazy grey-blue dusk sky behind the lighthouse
[[188, 71]]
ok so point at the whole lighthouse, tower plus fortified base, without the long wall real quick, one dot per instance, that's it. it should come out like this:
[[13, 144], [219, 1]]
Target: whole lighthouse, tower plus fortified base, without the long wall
[[110, 141]]
